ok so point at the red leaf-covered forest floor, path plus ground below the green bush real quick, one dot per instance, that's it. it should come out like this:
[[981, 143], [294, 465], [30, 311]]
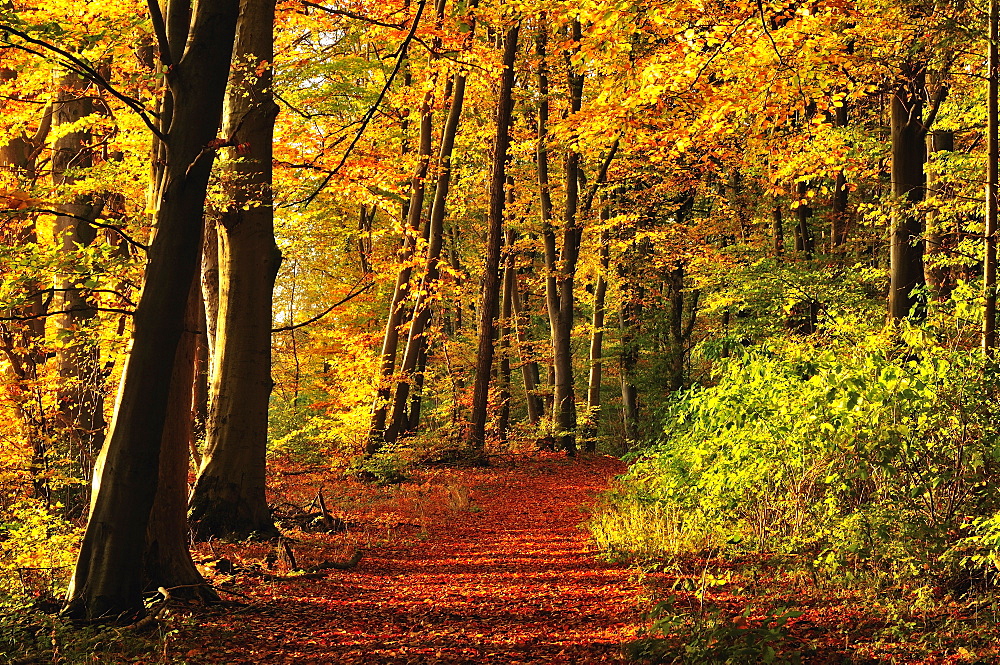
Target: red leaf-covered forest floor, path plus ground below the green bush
[[495, 565]]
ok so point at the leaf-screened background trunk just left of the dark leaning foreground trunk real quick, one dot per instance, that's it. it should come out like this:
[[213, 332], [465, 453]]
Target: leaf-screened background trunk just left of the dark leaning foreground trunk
[[80, 417]]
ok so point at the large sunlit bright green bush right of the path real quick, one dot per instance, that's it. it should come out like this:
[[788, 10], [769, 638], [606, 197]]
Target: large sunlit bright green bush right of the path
[[859, 451]]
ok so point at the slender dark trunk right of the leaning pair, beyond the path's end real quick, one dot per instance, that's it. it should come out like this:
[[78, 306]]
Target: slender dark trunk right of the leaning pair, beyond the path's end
[[494, 244]]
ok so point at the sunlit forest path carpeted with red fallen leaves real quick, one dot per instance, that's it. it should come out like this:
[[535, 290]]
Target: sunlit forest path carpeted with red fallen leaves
[[475, 566]]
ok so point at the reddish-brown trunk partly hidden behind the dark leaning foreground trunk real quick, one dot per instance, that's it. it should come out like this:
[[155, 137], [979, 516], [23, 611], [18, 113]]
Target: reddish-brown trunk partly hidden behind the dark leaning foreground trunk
[[167, 560]]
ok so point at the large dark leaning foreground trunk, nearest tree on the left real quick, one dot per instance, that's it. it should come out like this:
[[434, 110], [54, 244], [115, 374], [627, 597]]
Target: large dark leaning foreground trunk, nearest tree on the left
[[108, 580]]
